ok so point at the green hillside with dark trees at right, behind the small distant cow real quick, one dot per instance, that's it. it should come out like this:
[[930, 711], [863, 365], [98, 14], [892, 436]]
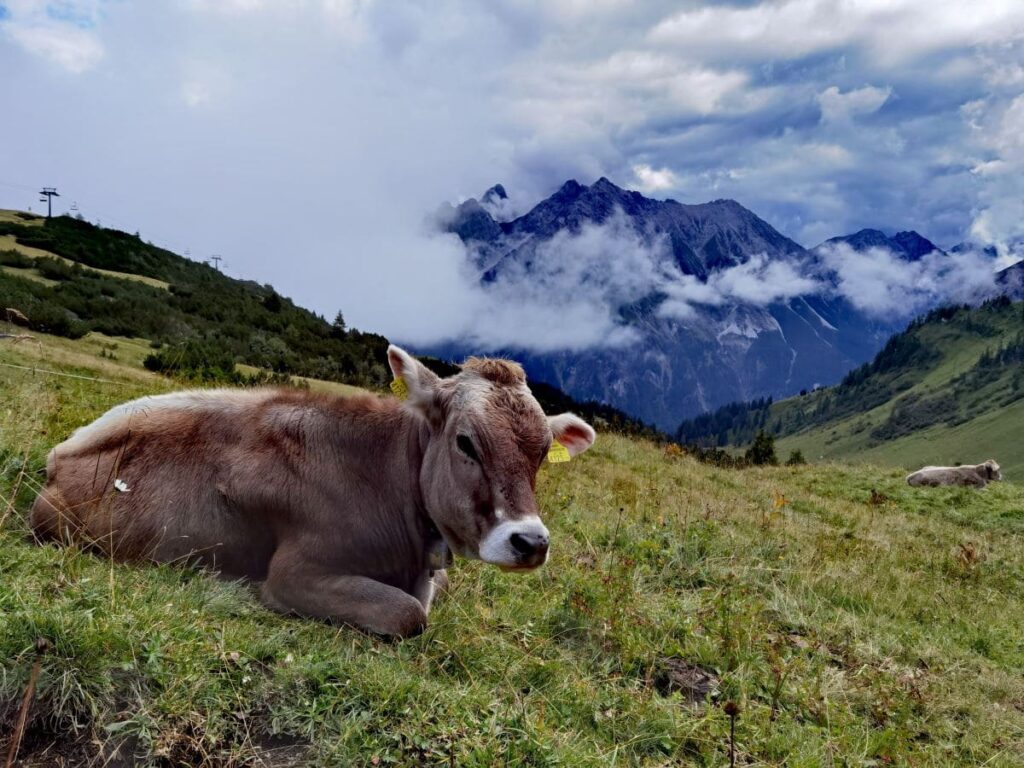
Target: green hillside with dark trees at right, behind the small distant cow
[[948, 391]]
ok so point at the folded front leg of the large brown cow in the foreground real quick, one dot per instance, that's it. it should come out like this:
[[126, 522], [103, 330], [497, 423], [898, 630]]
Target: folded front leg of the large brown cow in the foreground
[[295, 586]]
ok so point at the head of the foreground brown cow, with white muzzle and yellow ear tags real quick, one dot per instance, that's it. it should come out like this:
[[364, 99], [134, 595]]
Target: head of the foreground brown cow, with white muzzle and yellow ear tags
[[489, 439]]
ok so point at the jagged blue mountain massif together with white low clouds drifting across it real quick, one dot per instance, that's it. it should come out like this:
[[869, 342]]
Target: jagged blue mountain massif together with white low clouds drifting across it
[[666, 310]]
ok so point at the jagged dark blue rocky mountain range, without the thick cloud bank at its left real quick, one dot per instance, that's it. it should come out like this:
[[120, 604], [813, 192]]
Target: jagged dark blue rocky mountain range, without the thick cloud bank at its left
[[738, 310]]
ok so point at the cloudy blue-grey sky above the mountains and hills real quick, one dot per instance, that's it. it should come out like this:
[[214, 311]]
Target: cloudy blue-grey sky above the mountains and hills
[[307, 141]]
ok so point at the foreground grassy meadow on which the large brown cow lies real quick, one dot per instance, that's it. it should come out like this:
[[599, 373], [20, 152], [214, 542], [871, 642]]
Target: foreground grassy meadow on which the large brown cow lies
[[850, 634]]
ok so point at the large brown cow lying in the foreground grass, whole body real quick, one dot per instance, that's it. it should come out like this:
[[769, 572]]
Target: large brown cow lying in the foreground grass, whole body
[[343, 506]]
